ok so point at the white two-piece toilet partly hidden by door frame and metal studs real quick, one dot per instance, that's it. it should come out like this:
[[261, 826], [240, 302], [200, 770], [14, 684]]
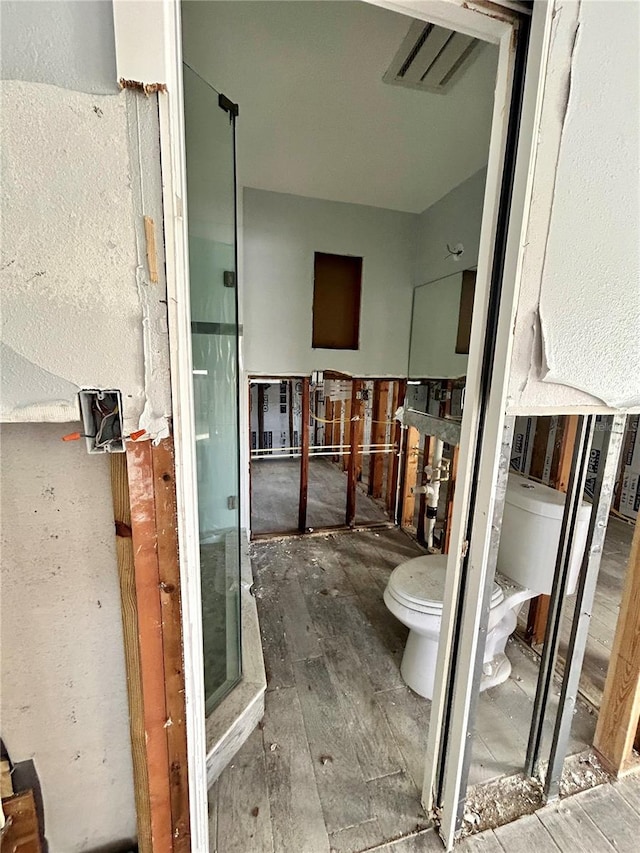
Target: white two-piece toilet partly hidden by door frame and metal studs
[[526, 563]]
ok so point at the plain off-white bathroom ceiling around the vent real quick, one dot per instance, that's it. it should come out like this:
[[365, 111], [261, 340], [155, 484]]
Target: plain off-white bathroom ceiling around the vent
[[316, 118]]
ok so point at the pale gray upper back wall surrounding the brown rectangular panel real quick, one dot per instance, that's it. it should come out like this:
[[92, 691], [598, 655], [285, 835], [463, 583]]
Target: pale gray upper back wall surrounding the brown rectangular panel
[[281, 234]]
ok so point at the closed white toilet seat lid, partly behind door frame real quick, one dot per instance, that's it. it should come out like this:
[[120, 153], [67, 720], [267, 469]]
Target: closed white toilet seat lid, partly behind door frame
[[419, 583]]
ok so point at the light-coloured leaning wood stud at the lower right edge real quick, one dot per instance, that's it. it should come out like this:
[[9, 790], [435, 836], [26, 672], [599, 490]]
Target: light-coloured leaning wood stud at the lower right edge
[[620, 708]]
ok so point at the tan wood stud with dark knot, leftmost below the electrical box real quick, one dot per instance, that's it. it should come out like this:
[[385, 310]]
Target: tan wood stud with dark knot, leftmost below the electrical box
[[126, 573]]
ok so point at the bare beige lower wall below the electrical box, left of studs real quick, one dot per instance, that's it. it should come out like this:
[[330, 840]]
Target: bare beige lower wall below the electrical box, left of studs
[[64, 695]]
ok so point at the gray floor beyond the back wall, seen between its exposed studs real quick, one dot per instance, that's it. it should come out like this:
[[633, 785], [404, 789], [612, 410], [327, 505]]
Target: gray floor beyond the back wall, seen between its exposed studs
[[275, 490]]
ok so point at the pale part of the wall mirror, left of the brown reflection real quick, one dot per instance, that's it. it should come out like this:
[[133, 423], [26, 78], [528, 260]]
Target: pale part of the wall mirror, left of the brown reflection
[[434, 329]]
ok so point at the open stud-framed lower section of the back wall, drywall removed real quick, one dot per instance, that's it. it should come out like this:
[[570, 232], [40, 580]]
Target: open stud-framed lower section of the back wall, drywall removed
[[325, 453]]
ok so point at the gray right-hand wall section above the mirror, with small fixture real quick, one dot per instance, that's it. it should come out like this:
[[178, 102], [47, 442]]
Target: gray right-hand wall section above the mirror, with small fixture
[[453, 221]]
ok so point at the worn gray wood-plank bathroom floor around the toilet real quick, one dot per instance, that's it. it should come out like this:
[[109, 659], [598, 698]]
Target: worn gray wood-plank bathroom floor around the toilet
[[338, 762]]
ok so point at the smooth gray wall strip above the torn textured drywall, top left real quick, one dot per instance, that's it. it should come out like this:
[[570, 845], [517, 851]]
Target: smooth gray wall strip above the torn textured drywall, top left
[[67, 44]]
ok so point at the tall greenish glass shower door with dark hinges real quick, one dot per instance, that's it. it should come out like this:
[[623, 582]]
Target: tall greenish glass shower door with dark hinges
[[211, 198]]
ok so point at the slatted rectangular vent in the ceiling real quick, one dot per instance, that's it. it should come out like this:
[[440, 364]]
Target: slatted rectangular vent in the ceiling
[[431, 58]]
